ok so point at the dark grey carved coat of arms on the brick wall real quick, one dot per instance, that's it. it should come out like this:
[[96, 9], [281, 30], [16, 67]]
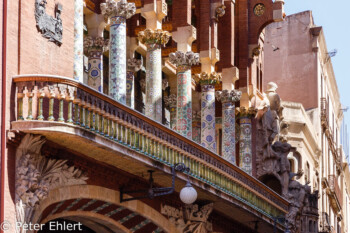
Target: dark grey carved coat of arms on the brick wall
[[51, 28]]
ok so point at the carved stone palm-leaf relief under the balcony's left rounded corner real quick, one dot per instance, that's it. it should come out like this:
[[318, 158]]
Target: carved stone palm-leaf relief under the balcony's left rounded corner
[[36, 175]]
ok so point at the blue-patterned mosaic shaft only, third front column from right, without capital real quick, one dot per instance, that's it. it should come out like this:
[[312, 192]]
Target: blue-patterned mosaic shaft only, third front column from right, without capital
[[208, 118]]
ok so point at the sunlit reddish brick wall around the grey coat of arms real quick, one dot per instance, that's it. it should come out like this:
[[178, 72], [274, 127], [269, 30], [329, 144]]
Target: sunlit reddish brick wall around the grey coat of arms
[[37, 54]]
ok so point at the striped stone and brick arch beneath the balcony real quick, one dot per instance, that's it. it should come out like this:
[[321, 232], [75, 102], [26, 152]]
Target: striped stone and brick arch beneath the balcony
[[84, 200]]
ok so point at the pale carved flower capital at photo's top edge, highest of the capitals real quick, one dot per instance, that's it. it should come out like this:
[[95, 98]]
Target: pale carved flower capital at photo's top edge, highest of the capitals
[[122, 8]]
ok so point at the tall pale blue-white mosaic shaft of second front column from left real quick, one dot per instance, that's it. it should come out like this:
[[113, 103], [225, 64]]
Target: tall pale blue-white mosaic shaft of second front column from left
[[117, 60]]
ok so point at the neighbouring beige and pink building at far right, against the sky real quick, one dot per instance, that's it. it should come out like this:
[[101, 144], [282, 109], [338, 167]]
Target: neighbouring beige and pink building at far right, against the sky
[[298, 60]]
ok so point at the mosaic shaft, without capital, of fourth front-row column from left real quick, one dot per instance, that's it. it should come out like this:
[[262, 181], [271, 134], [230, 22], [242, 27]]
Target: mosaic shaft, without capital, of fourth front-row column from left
[[184, 101]]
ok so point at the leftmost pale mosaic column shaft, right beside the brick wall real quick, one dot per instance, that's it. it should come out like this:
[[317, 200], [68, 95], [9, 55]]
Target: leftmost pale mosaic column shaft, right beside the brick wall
[[78, 40]]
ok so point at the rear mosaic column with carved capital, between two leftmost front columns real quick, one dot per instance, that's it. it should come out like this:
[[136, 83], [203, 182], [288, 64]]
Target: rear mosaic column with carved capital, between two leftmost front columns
[[94, 48]]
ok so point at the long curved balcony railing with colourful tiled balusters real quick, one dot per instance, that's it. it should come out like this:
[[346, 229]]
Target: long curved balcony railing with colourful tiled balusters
[[66, 101]]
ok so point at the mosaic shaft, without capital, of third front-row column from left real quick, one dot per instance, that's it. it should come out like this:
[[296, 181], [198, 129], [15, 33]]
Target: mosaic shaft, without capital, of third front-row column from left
[[154, 82]]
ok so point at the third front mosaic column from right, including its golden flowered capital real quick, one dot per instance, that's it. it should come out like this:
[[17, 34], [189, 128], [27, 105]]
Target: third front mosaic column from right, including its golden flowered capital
[[208, 135]]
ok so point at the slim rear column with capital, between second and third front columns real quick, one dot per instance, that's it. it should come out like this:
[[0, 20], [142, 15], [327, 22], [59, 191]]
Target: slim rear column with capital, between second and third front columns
[[134, 65]]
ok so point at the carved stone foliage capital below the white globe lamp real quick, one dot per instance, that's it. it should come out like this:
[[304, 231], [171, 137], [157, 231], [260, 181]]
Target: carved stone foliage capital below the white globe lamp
[[191, 219]]
